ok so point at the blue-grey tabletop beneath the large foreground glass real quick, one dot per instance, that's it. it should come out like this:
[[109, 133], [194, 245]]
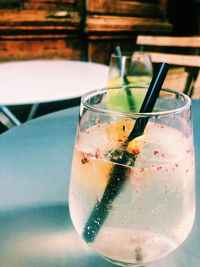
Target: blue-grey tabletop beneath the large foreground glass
[[35, 227]]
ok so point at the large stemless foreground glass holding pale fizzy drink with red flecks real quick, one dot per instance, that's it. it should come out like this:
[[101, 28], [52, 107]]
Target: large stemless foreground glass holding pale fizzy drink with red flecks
[[133, 202]]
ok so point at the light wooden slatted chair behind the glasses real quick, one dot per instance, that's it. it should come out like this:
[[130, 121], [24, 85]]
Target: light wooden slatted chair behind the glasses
[[178, 52]]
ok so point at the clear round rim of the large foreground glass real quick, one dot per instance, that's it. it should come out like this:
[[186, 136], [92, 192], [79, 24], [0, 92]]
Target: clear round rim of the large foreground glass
[[110, 112]]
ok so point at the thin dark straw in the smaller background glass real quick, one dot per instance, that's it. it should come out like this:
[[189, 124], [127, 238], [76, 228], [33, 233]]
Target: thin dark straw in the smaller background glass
[[130, 100]]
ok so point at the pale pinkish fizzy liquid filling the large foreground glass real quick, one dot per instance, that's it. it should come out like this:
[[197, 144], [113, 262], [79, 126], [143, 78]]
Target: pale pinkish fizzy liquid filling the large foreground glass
[[154, 212]]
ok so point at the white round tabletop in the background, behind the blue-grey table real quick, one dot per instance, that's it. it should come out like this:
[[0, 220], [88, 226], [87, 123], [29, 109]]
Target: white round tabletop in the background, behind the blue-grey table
[[34, 81]]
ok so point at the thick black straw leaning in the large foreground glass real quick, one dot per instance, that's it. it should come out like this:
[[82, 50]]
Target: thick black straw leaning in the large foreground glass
[[119, 173]]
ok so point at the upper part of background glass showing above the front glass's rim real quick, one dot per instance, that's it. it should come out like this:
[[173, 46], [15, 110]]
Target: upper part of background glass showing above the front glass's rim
[[135, 69]]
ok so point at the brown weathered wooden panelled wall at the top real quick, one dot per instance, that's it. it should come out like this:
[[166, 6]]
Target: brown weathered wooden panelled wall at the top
[[75, 29]]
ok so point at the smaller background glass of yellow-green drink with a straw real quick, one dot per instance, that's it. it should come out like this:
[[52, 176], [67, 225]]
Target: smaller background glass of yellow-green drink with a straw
[[133, 69]]
